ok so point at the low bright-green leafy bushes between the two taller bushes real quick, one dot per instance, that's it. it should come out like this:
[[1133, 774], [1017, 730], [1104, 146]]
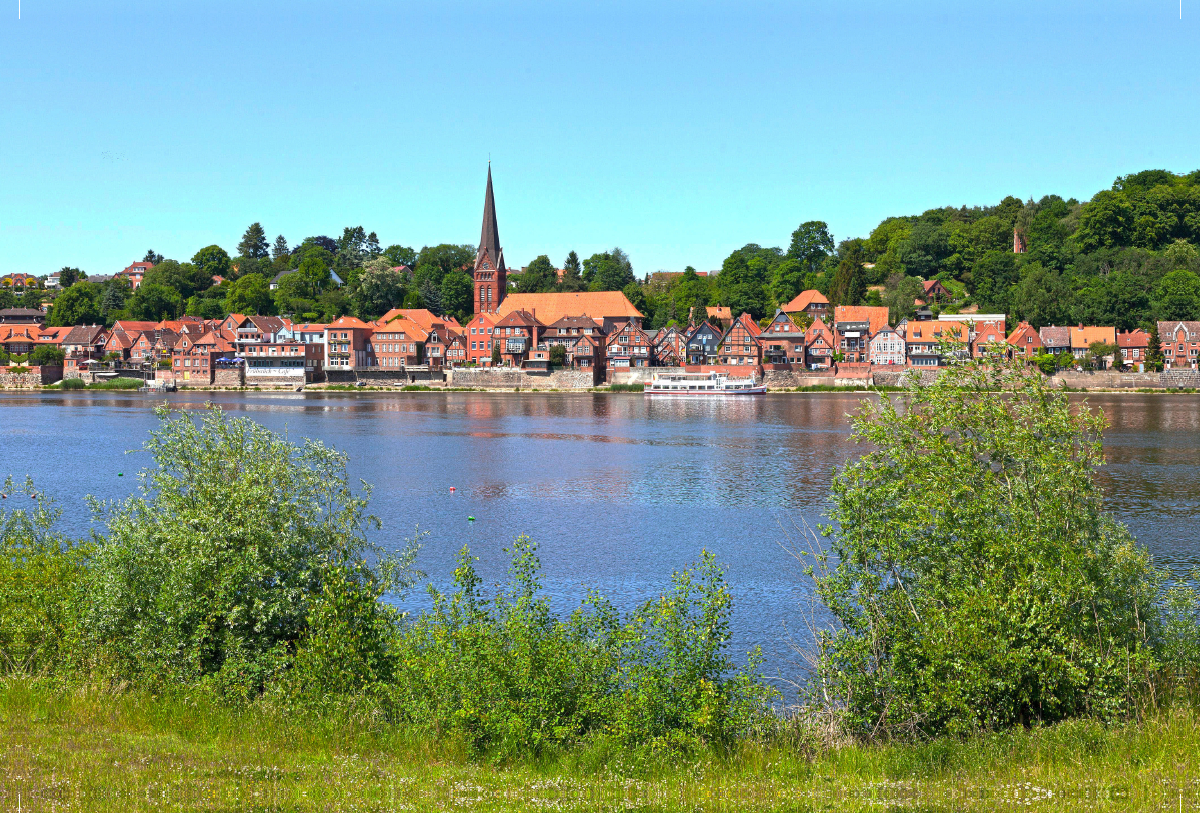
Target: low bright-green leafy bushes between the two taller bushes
[[509, 678]]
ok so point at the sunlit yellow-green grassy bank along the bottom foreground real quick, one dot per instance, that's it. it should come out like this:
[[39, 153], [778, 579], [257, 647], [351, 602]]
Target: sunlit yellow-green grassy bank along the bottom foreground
[[98, 751]]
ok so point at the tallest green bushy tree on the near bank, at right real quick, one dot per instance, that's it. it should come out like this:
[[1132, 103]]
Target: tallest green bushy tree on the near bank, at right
[[992, 589]]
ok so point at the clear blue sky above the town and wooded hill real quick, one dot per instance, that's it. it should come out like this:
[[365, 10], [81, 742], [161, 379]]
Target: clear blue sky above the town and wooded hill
[[676, 131]]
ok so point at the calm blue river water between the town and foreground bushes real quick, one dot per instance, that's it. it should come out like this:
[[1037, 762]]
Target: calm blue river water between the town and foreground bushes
[[617, 490]]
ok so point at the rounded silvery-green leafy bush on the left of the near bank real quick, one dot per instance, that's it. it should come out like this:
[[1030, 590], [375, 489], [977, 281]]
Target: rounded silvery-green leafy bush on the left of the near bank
[[214, 569]]
